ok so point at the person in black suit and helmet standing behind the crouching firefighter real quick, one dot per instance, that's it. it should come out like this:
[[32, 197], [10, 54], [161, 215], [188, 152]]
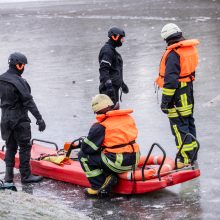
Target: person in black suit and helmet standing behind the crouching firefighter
[[111, 66]]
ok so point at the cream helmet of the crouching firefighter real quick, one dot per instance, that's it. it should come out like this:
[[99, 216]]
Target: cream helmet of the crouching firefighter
[[100, 102]]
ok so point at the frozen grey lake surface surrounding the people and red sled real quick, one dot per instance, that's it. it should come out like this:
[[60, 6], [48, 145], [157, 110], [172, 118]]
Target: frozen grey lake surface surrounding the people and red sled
[[62, 40]]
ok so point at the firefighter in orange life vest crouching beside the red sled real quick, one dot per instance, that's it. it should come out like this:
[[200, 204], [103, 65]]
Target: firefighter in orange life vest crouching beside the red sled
[[110, 146]]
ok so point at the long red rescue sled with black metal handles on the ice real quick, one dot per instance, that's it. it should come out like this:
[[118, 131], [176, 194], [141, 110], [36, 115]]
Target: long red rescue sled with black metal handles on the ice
[[143, 179]]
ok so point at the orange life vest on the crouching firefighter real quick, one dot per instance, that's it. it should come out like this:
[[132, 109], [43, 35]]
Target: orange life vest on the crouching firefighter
[[120, 131]]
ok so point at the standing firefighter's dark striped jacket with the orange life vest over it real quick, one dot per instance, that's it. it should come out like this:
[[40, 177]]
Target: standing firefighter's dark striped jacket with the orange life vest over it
[[177, 72]]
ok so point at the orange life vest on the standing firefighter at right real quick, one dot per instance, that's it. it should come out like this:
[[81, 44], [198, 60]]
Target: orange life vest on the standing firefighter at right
[[188, 60]]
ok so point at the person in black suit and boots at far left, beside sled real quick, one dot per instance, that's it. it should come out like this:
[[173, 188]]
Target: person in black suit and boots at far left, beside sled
[[16, 101]]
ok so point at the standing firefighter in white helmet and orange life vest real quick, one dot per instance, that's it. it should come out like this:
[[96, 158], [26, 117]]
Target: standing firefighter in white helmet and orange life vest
[[176, 76]]
